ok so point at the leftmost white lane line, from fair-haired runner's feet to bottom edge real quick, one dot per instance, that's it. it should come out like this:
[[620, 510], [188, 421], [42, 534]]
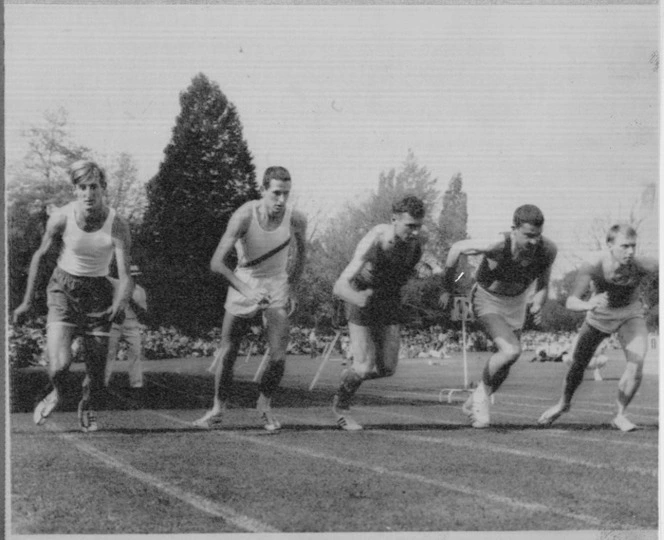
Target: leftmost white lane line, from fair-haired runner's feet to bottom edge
[[208, 506]]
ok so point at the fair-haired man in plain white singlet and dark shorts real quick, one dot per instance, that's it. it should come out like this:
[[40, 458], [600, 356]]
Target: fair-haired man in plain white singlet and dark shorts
[[80, 297]]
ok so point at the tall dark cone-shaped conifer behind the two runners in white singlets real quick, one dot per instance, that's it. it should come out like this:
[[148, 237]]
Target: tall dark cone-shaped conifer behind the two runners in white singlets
[[206, 174]]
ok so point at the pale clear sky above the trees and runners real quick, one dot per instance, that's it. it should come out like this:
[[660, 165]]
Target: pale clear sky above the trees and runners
[[551, 105]]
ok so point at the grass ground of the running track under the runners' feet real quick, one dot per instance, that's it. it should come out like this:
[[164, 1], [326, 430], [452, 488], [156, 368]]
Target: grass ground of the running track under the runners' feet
[[417, 465]]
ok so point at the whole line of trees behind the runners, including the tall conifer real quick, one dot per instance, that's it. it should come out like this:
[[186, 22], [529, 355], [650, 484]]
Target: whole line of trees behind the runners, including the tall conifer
[[179, 215]]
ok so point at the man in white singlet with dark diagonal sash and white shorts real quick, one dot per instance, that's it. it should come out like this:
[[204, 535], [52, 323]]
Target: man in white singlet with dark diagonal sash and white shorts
[[261, 231]]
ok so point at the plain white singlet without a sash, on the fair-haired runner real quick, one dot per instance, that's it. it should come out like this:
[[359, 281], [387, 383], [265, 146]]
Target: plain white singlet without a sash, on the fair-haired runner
[[86, 253]]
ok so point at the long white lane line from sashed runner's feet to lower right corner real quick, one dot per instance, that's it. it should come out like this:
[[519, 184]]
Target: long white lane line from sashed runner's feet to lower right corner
[[492, 498]]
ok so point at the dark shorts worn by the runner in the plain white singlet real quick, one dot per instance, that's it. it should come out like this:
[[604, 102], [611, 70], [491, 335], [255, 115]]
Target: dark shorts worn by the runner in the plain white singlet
[[80, 301]]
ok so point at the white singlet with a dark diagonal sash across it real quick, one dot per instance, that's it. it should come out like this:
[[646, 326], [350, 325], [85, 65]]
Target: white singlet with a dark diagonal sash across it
[[257, 242]]
